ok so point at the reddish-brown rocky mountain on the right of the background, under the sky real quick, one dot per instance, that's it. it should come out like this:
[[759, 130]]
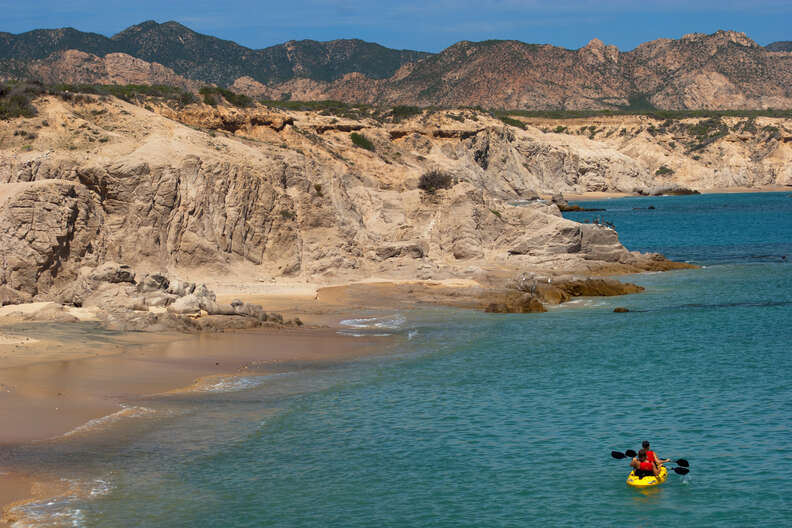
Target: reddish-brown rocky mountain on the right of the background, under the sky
[[724, 70]]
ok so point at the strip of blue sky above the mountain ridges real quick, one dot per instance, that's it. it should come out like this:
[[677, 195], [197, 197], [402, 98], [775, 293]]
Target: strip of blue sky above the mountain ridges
[[414, 24]]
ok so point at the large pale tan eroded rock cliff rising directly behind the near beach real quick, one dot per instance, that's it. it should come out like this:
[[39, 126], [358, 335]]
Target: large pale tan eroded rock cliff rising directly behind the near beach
[[261, 194]]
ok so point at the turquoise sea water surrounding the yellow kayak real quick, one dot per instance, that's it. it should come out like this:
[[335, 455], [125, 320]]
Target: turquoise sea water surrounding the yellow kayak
[[471, 419]]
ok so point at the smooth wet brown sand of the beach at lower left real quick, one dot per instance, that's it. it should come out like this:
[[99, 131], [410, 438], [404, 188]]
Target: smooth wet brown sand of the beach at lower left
[[58, 385]]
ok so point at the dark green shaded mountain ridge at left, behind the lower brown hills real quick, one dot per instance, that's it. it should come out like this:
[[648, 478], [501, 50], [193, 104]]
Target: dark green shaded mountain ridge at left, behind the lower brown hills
[[213, 60]]
